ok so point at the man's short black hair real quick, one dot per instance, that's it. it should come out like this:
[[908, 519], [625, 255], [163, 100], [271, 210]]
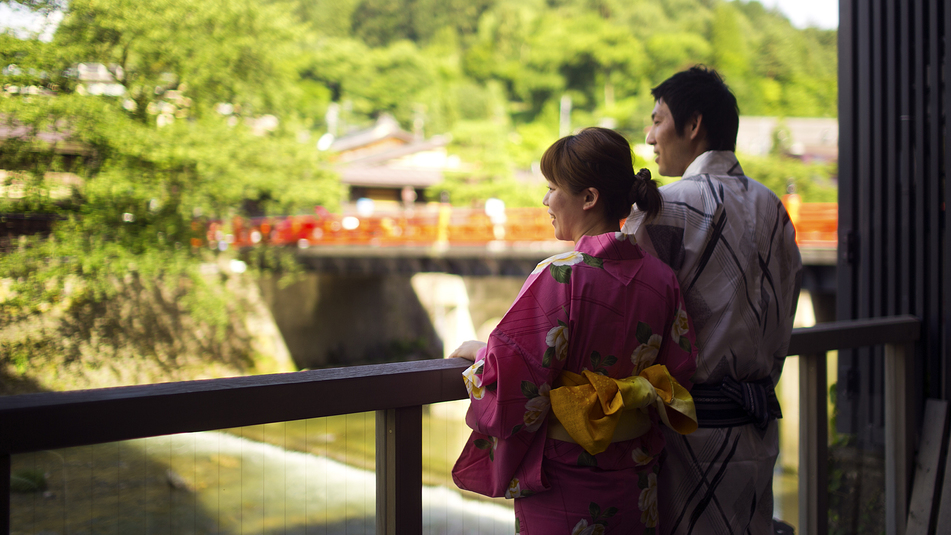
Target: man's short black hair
[[701, 90]]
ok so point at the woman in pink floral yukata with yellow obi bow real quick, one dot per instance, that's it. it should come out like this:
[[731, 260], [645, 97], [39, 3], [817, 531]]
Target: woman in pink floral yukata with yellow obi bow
[[593, 356]]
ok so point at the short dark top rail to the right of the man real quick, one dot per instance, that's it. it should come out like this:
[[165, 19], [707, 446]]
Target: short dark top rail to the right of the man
[[853, 334]]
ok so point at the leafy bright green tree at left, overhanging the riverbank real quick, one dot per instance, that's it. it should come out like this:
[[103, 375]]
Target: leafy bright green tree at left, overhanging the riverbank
[[146, 190]]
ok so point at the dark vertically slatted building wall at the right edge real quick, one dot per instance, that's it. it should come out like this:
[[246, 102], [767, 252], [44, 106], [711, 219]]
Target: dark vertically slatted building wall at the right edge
[[894, 147]]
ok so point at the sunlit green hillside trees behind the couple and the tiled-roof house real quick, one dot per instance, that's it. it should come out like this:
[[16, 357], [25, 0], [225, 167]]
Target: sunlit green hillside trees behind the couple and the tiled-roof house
[[494, 72]]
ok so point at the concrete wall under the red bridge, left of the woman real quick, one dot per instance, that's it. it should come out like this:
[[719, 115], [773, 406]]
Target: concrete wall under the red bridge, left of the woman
[[339, 320]]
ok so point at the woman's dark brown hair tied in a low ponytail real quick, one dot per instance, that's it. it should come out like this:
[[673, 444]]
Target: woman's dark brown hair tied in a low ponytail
[[601, 158]]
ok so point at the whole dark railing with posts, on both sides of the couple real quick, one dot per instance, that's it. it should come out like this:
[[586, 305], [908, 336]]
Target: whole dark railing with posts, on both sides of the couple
[[398, 392]]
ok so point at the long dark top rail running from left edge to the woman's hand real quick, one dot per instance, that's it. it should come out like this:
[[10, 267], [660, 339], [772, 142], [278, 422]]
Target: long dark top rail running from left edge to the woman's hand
[[34, 422]]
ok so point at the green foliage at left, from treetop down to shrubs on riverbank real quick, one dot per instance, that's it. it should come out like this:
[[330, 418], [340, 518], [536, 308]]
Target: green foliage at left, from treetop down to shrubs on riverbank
[[203, 126]]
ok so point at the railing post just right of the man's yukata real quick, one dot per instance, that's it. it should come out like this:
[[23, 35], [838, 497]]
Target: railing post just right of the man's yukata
[[813, 445]]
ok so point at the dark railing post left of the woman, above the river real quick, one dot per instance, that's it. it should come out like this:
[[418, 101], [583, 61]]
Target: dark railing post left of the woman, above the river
[[399, 471]]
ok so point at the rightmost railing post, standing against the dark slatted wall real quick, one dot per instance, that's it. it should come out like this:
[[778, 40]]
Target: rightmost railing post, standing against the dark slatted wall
[[899, 434]]
